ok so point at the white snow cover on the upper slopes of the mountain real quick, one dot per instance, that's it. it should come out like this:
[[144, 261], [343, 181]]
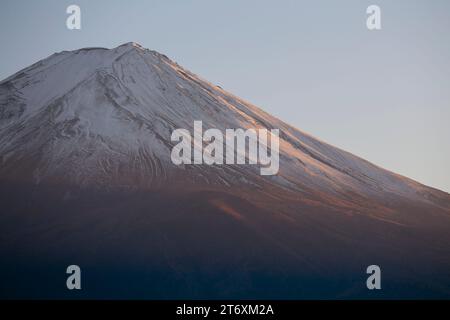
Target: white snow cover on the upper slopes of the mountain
[[89, 114]]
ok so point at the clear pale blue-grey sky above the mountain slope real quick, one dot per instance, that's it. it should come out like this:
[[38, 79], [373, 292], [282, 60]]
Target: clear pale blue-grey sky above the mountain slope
[[383, 95]]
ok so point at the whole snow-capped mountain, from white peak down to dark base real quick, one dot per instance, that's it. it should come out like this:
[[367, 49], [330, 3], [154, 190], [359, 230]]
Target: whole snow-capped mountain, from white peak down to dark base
[[86, 178]]
